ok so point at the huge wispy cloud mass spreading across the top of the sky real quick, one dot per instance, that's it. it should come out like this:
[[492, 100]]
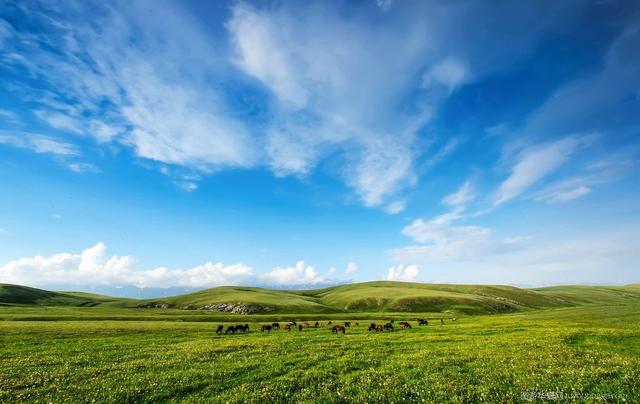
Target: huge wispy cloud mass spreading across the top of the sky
[[172, 89]]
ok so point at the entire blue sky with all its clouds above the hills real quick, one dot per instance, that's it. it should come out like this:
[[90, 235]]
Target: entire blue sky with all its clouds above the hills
[[180, 145]]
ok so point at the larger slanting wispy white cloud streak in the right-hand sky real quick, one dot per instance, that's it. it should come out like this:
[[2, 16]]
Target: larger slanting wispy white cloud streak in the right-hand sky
[[534, 164]]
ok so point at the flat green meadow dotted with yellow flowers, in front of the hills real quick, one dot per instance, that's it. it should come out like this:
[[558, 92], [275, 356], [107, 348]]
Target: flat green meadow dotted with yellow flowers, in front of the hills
[[590, 352]]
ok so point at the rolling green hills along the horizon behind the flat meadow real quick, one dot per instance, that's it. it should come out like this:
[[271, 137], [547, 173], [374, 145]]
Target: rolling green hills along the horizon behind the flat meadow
[[358, 297]]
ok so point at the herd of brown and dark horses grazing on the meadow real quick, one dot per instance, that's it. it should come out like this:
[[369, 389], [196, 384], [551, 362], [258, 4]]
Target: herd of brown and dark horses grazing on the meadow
[[335, 329]]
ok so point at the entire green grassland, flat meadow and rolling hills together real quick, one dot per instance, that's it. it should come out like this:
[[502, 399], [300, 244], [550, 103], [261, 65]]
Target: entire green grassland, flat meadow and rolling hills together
[[570, 343]]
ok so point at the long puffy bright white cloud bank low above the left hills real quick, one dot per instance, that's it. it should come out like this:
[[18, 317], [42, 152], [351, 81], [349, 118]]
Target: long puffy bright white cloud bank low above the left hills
[[94, 266]]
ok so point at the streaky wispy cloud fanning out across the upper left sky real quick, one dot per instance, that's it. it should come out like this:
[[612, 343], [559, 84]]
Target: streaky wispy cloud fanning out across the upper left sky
[[155, 105]]
